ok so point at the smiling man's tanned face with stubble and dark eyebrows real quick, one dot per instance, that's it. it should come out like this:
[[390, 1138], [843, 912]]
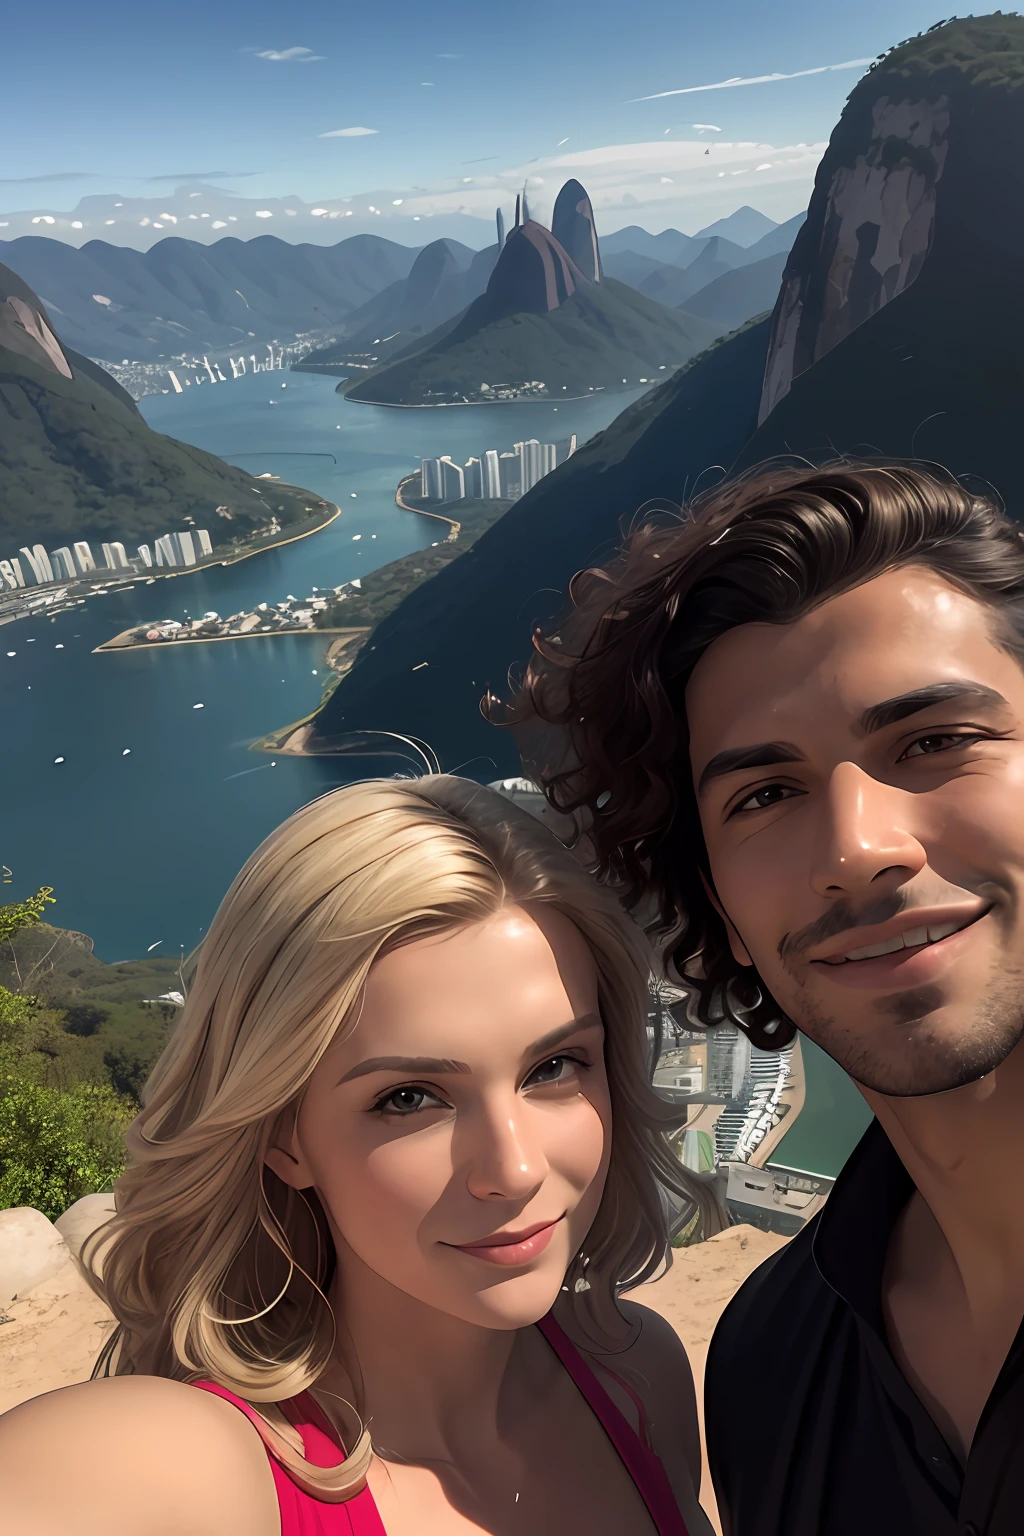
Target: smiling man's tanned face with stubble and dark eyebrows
[[860, 780]]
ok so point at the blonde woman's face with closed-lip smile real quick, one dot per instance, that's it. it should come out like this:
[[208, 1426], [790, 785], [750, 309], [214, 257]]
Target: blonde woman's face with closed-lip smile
[[460, 1137]]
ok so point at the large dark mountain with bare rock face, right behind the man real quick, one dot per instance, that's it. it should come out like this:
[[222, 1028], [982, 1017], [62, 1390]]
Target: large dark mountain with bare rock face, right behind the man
[[897, 333]]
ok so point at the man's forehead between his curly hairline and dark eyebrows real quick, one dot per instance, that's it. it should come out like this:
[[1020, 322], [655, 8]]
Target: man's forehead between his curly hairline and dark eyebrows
[[903, 631]]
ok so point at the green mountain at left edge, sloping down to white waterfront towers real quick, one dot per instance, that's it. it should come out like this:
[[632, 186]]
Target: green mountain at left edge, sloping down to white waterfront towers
[[78, 462]]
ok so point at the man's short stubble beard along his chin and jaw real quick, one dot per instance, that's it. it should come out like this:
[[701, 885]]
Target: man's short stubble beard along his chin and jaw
[[910, 1058]]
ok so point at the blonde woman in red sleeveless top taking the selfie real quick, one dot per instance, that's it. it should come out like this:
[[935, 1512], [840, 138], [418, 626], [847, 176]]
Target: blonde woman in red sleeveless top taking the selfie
[[368, 1254]]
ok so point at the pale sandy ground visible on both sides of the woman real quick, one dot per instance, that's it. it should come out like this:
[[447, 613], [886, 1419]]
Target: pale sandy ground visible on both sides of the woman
[[56, 1331]]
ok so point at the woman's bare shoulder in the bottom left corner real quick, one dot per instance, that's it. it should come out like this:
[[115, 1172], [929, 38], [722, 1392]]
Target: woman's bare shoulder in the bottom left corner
[[136, 1455]]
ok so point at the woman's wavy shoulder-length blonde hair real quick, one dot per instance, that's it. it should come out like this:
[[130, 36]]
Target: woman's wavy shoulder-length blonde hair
[[213, 1266]]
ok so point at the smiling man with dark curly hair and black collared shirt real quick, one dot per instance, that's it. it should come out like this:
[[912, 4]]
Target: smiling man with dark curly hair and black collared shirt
[[798, 726]]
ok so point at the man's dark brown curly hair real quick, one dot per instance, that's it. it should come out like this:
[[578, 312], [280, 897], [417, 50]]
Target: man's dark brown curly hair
[[601, 713]]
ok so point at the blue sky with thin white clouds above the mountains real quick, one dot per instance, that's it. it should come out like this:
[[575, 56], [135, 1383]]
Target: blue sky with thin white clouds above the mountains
[[437, 107]]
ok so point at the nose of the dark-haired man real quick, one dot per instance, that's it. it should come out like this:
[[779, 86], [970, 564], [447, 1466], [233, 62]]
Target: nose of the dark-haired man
[[865, 832]]
